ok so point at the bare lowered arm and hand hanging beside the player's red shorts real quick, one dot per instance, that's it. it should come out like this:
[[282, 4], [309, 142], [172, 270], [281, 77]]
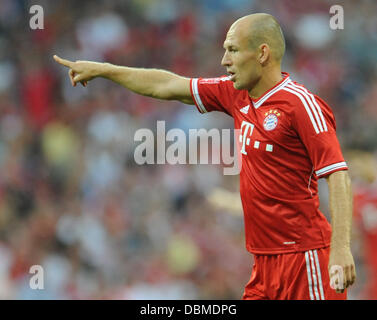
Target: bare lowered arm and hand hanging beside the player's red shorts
[[340, 197]]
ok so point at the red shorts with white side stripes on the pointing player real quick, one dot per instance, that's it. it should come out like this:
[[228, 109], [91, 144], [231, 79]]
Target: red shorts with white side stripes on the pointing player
[[286, 277]]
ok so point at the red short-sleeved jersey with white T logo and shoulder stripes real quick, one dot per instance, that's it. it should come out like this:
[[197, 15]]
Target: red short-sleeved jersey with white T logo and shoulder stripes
[[287, 141]]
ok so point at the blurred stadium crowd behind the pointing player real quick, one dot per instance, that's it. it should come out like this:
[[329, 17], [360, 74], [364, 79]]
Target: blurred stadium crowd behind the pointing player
[[72, 198]]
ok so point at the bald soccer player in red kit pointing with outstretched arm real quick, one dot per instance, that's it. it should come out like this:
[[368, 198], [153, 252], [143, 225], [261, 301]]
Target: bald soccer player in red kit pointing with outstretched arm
[[287, 142]]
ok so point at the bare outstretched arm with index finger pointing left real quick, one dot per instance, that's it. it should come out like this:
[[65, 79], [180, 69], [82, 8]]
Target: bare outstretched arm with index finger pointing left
[[159, 84]]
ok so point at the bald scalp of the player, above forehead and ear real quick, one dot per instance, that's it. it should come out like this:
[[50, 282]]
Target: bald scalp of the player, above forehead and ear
[[260, 28]]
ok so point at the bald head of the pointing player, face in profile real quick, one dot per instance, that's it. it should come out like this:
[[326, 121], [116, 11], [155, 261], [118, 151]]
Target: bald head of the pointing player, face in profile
[[254, 48]]
